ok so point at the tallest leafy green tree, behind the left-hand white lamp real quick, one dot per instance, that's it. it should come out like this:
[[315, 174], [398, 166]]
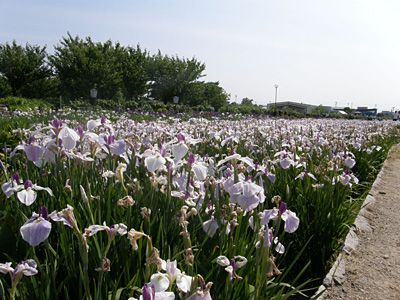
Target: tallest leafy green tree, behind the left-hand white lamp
[[82, 64]]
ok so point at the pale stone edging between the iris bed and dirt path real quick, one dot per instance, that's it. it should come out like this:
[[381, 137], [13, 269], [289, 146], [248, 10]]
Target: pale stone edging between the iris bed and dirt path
[[337, 273]]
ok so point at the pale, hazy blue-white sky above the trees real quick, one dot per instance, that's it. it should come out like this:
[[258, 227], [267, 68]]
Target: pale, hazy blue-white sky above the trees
[[329, 52]]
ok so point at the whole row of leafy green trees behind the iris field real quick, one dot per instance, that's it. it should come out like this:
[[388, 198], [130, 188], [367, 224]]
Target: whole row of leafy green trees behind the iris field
[[78, 65]]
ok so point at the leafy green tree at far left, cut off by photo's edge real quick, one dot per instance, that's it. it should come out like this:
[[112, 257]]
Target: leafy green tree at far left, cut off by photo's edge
[[26, 70]]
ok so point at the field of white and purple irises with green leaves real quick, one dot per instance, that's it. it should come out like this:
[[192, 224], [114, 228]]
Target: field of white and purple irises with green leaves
[[125, 205]]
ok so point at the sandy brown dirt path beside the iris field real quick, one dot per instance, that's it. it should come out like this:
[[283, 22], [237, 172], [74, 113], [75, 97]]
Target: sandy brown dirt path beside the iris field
[[371, 269]]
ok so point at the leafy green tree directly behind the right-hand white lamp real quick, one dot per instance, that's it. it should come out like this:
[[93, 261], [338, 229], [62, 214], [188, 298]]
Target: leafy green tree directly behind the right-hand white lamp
[[172, 76]]
